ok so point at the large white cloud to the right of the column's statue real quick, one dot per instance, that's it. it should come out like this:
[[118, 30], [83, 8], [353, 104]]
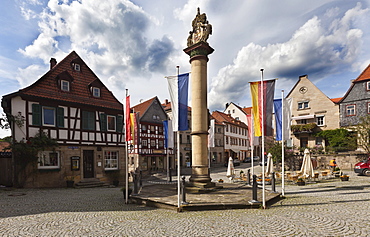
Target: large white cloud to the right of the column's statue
[[315, 49]]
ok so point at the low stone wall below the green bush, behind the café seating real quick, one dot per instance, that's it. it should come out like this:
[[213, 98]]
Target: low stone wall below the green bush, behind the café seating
[[345, 161]]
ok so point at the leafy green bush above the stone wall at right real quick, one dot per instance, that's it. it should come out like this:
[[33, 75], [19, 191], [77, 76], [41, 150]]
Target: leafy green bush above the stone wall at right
[[339, 139]]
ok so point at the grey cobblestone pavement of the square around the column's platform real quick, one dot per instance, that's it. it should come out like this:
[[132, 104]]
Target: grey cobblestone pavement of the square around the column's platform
[[328, 208]]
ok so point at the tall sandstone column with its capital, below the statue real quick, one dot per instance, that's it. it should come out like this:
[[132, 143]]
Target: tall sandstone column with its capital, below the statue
[[199, 113]]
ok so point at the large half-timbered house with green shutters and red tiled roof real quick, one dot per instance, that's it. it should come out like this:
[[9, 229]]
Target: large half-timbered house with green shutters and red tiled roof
[[73, 106]]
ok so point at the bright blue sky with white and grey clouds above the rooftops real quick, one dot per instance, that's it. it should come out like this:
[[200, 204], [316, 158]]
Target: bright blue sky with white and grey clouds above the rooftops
[[135, 44]]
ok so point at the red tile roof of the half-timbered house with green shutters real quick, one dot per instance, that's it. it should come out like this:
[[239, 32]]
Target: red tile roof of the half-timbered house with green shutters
[[47, 87]]
